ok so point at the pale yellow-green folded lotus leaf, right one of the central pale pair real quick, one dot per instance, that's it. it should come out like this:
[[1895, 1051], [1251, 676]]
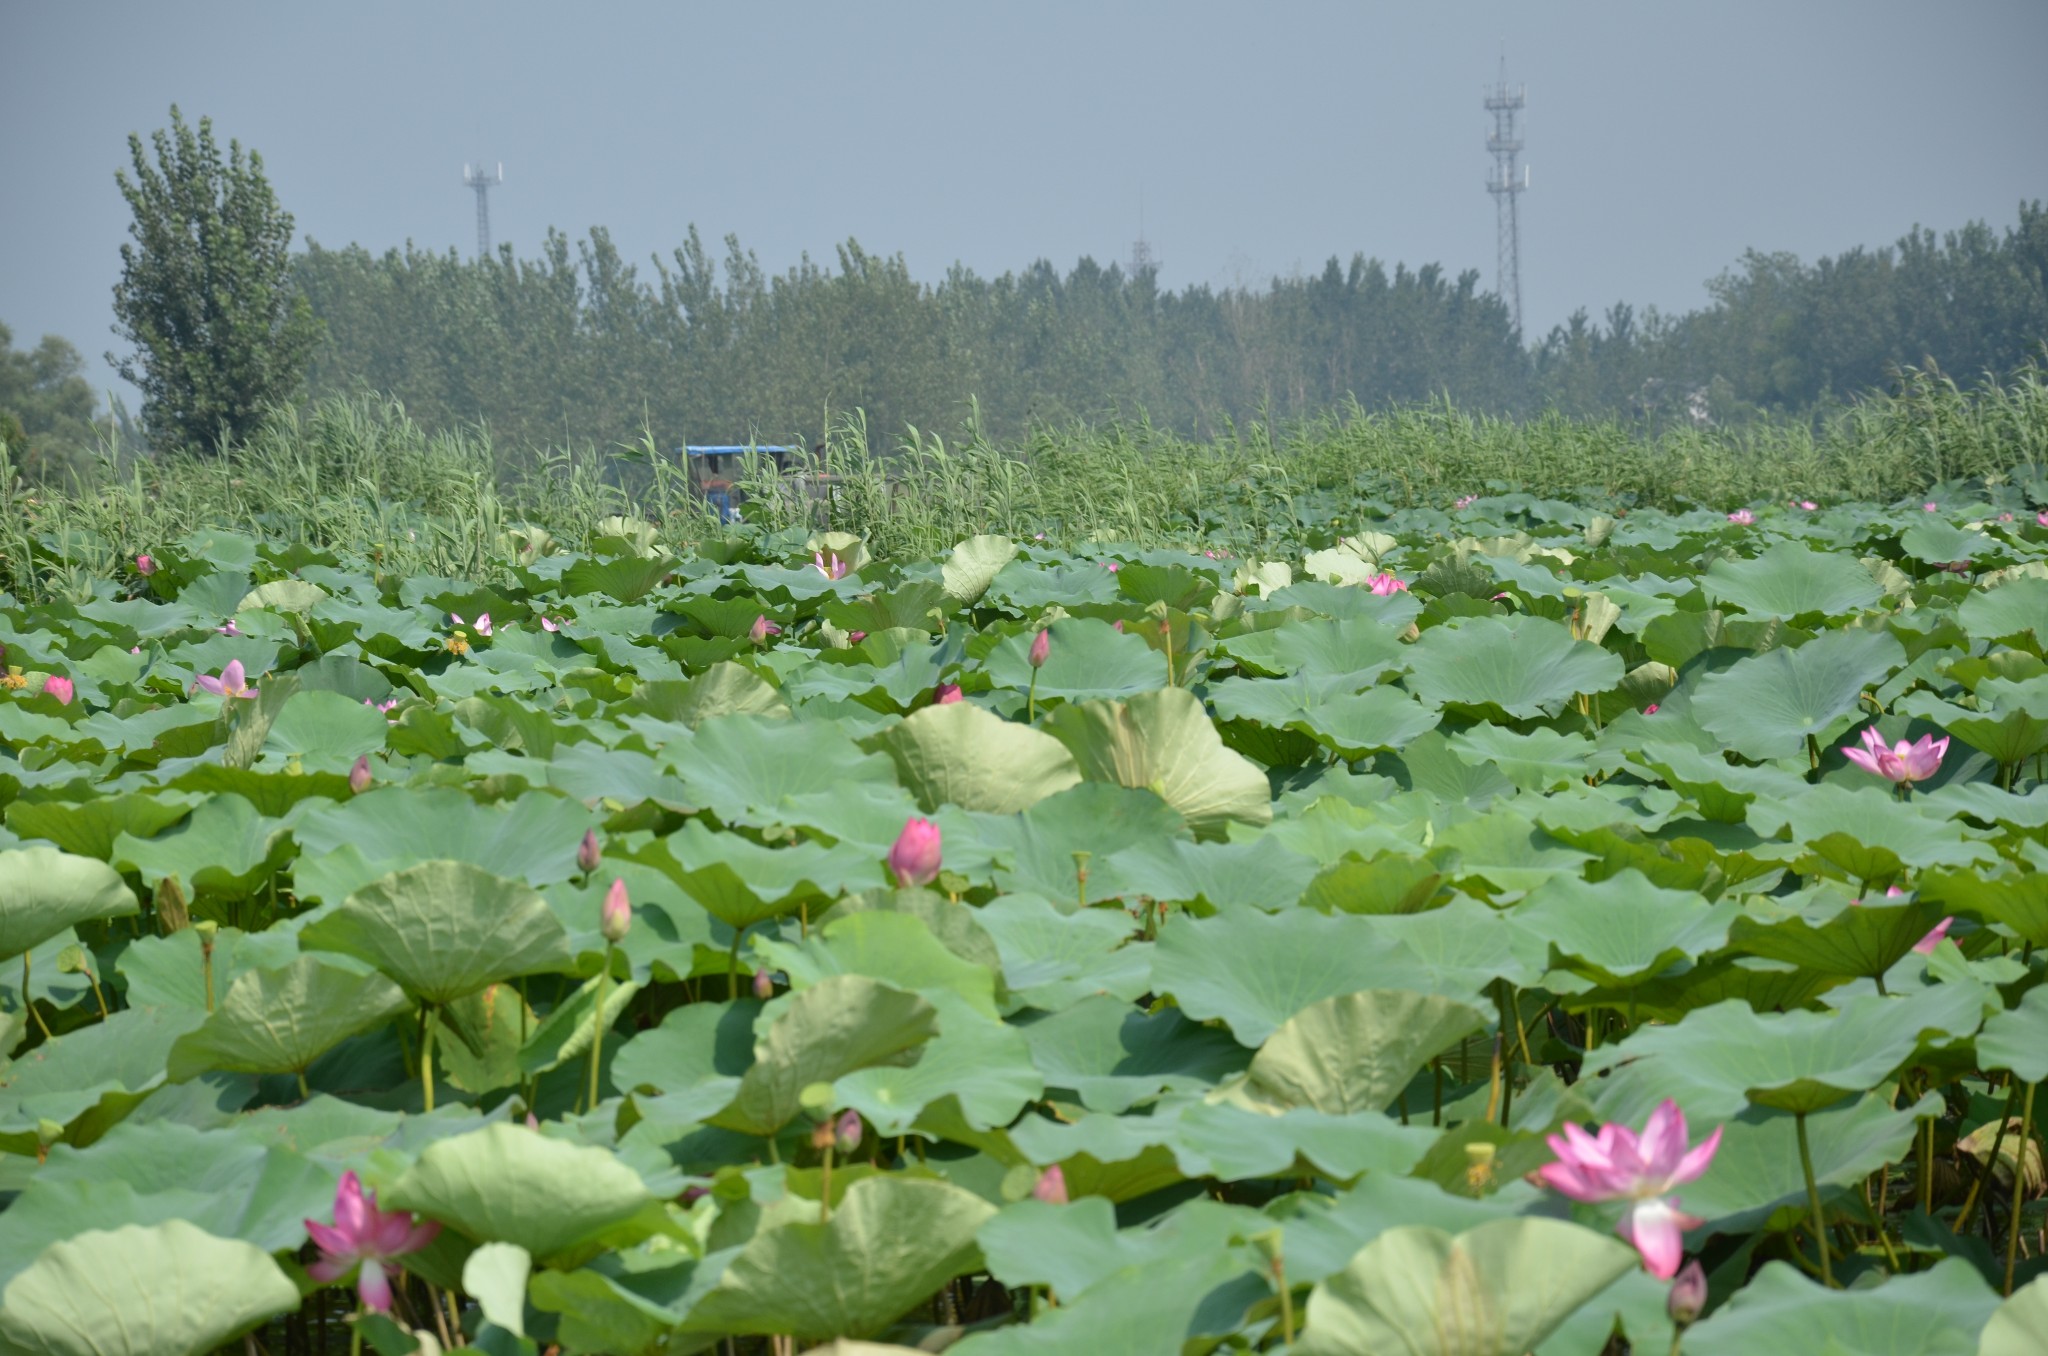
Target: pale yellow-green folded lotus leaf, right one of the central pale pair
[[1166, 743]]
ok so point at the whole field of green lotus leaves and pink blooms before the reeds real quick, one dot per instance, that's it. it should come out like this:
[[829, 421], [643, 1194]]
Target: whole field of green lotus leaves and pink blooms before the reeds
[[1484, 929]]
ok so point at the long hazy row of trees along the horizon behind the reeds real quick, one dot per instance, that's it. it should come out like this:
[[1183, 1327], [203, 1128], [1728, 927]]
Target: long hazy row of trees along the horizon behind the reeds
[[581, 345]]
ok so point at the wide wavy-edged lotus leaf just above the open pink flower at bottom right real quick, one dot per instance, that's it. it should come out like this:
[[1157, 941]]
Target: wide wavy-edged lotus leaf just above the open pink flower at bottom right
[[1725, 1056]]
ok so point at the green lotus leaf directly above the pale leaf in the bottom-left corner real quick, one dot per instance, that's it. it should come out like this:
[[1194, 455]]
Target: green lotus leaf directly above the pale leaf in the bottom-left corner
[[232, 1185]]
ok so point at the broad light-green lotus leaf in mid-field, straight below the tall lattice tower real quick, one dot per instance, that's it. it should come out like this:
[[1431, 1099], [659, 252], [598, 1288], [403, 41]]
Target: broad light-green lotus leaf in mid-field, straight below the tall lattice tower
[[1527, 667]]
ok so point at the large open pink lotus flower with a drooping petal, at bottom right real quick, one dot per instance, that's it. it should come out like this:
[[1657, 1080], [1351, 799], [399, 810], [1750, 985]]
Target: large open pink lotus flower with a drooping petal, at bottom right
[[1621, 1167]]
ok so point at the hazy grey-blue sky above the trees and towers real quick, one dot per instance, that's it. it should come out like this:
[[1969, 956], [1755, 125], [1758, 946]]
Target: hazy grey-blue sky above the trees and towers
[[1664, 138]]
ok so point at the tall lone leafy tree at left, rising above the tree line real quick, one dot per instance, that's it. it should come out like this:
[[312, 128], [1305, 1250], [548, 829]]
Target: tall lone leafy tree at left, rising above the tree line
[[206, 290]]
